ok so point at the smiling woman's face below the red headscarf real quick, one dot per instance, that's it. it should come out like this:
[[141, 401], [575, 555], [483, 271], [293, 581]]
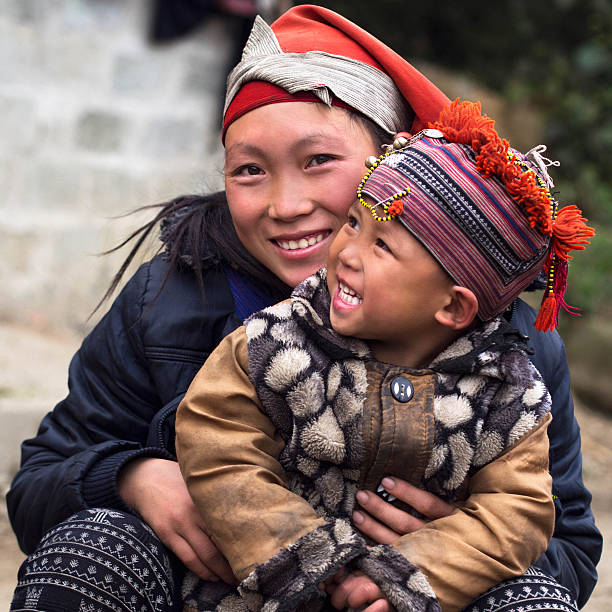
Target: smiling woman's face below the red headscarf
[[291, 172]]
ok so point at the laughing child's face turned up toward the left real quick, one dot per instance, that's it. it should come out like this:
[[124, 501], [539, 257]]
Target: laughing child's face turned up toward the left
[[385, 286]]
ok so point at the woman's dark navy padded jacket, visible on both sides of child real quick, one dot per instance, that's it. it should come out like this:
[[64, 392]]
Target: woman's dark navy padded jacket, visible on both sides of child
[[134, 367]]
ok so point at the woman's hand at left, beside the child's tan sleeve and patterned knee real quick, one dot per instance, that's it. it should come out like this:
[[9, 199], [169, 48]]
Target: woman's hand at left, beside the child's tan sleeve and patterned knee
[[156, 490]]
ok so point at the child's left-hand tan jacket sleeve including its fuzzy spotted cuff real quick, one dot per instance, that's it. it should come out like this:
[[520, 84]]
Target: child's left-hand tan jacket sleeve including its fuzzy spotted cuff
[[273, 539]]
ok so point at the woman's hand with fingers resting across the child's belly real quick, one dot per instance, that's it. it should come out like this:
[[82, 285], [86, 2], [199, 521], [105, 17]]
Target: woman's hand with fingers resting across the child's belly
[[384, 523]]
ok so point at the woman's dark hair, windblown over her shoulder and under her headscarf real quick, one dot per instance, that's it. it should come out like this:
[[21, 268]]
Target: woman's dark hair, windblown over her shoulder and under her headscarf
[[198, 231]]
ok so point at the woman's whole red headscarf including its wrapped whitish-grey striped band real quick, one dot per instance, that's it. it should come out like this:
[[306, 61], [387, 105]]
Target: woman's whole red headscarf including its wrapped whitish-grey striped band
[[313, 54]]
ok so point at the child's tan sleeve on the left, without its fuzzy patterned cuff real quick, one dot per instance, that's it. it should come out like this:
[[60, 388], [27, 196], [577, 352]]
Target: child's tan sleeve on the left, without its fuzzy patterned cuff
[[241, 476]]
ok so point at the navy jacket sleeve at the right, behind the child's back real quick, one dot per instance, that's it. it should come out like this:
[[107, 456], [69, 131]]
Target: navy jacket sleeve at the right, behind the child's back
[[576, 545]]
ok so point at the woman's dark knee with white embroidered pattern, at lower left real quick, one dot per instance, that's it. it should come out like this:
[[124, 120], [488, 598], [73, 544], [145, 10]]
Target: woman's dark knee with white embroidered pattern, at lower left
[[96, 561]]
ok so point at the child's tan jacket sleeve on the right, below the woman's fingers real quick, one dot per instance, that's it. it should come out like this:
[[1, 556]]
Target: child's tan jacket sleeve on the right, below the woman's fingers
[[502, 527]]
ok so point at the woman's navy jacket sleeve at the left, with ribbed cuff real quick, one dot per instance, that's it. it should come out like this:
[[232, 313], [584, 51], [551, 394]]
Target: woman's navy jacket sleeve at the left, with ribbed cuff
[[73, 461]]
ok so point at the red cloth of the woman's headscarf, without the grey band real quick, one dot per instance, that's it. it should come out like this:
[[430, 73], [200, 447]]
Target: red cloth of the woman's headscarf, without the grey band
[[307, 28]]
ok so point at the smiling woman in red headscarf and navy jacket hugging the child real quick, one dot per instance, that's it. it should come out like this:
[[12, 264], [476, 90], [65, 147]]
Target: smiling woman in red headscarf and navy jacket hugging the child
[[107, 450]]
